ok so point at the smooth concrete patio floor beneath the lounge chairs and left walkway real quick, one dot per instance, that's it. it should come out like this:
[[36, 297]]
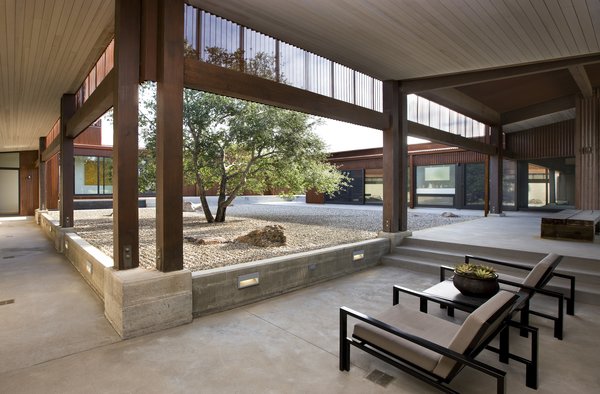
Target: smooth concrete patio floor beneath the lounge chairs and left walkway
[[54, 338]]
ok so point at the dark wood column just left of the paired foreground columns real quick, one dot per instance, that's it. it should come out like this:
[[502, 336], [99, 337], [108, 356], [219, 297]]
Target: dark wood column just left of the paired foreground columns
[[67, 162]]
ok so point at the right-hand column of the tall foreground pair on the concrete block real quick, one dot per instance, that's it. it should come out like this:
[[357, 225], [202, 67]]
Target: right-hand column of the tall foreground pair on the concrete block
[[169, 137]]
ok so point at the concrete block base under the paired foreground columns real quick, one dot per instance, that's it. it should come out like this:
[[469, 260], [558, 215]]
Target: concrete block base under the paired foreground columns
[[138, 301]]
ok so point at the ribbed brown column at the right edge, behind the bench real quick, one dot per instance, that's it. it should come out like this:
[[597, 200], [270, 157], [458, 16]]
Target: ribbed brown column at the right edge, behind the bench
[[587, 152]]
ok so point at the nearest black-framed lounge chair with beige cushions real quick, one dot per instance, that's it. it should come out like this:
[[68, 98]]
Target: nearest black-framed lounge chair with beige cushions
[[433, 349]]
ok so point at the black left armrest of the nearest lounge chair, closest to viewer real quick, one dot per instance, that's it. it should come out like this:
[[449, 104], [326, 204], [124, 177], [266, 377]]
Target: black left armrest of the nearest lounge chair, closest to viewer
[[345, 312]]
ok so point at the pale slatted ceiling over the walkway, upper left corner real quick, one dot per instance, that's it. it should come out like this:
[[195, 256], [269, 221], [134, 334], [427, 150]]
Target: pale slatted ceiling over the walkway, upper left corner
[[46, 49]]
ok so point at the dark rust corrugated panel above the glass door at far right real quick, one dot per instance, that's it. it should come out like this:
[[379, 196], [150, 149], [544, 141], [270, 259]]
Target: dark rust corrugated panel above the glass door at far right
[[555, 140]]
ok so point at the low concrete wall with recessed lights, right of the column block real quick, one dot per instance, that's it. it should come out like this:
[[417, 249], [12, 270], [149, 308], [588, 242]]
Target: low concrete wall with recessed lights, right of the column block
[[217, 289]]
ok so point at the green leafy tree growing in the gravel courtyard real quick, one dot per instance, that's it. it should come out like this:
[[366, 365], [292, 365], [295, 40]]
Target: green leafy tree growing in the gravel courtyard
[[243, 146]]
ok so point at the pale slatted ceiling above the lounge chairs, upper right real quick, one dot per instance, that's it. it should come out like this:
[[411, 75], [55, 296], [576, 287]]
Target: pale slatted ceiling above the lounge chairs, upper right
[[403, 39]]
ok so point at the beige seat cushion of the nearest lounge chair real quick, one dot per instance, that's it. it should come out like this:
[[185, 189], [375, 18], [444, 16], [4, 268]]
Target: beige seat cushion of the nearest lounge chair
[[413, 322]]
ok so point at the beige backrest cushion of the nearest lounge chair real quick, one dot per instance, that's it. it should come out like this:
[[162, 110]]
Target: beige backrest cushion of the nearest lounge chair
[[465, 336]]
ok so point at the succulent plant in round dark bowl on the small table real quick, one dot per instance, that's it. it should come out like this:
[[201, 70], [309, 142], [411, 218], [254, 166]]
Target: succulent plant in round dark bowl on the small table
[[475, 280]]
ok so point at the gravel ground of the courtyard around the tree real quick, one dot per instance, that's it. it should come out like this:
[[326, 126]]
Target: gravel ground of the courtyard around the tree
[[306, 227]]
